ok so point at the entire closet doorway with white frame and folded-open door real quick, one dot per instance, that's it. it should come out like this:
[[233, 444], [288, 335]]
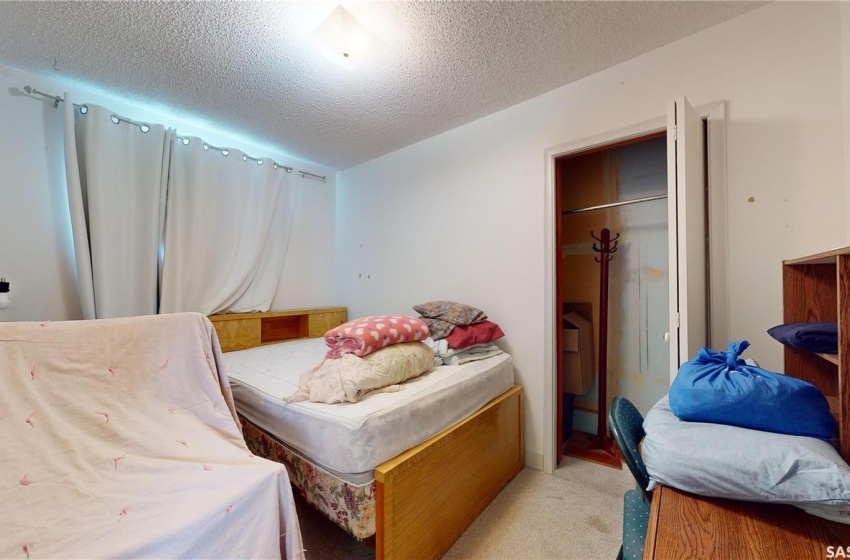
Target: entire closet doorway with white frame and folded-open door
[[607, 170]]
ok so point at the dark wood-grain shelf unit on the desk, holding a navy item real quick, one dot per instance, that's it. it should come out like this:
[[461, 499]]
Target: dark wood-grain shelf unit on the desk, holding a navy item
[[817, 289]]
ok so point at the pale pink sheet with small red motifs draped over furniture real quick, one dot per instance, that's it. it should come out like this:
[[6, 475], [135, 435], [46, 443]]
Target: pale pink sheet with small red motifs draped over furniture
[[120, 439]]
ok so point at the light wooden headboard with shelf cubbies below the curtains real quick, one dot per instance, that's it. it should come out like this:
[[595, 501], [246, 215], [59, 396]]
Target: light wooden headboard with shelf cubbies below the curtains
[[238, 331]]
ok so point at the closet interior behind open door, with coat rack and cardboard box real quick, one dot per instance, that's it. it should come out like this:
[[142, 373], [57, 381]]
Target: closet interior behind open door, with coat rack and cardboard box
[[613, 286]]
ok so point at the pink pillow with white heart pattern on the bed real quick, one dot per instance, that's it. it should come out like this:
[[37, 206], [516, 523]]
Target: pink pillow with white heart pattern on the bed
[[367, 334]]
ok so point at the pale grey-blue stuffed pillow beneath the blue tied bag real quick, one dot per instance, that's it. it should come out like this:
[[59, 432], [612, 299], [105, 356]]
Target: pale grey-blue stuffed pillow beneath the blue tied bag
[[723, 461]]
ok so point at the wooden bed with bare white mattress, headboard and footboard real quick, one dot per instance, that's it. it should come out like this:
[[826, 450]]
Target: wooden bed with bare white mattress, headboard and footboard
[[412, 497]]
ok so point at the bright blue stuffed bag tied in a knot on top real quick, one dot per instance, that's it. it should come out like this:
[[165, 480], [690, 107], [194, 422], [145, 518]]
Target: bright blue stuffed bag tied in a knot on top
[[717, 387]]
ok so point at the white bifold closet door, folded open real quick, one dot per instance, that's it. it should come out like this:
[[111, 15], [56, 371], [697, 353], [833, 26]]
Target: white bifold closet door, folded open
[[687, 226]]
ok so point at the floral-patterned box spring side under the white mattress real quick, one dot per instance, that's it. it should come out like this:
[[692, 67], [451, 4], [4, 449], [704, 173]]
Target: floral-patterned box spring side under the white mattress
[[351, 506]]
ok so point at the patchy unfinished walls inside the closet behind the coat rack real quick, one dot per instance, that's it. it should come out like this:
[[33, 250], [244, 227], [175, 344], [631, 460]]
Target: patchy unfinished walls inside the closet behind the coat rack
[[638, 357]]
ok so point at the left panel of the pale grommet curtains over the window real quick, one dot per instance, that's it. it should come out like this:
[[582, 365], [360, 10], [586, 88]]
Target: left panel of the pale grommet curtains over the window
[[116, 187]]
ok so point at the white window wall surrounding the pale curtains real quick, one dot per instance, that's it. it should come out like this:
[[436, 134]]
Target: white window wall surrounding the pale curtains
[[36, 253]]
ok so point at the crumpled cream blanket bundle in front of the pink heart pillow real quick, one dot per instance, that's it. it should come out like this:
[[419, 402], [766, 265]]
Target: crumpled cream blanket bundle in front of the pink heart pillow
[[350, 378]]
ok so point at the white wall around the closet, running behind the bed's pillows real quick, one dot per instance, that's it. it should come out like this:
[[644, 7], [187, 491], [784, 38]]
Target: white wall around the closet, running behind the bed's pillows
[[460, 216]]
